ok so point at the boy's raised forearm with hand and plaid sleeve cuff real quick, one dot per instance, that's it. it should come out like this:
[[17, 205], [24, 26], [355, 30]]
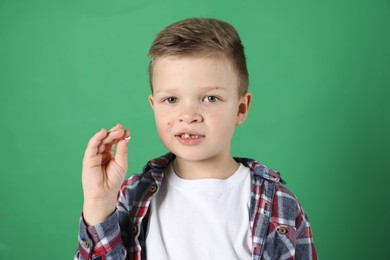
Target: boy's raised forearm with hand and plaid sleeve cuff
[[102, 176]]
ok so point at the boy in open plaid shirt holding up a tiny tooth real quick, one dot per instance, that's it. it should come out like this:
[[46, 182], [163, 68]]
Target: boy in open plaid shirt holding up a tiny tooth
[[197, 201]]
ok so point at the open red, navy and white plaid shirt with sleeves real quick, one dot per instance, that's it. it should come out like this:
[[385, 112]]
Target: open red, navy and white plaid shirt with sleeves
[[280, 228]]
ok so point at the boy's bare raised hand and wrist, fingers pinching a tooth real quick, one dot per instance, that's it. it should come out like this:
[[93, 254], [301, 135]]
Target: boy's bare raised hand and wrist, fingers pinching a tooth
[[103, 172]]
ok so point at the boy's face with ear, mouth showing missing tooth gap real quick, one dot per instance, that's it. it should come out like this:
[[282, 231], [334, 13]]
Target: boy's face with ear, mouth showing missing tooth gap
[[197, 106]]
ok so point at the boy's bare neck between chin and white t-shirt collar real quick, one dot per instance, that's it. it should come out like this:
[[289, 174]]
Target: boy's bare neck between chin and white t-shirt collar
[[215, 168]]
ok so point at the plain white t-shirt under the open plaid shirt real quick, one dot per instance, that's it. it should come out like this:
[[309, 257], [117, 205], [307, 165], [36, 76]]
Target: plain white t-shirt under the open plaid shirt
[[200, 219]]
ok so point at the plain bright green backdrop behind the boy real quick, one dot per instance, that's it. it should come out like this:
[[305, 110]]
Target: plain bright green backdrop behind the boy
[[319, 73]]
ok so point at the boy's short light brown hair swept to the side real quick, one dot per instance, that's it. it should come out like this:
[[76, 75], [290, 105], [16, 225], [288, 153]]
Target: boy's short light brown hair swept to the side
[[201, 36]]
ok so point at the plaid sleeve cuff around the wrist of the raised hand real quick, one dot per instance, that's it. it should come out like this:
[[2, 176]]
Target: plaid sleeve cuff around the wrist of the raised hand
[[102, 241]]
